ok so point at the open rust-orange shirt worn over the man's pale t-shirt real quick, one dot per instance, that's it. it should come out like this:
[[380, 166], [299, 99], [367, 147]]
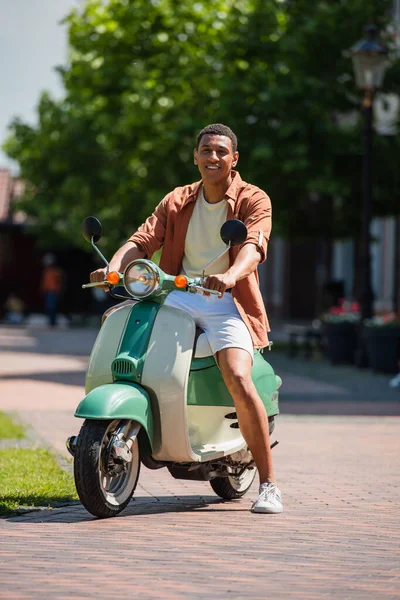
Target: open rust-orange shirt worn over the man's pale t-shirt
[[167, 228]]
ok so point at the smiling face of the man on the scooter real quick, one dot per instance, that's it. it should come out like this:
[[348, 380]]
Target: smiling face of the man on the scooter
[[215, 157]]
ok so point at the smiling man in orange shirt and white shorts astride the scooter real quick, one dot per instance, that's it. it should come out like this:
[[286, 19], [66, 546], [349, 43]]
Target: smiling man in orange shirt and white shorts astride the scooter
[[186, 225]]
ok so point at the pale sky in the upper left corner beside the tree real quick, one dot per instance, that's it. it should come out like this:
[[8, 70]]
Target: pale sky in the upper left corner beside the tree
[[32, 43]]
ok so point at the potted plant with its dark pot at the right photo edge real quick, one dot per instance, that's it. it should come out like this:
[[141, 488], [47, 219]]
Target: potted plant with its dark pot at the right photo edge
[[382, 336]]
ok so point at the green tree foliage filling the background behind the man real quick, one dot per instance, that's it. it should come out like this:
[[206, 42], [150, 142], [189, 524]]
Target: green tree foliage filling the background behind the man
[[145, 75]]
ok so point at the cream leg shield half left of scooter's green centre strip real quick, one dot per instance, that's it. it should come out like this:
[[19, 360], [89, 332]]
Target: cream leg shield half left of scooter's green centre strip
[[106, 348]]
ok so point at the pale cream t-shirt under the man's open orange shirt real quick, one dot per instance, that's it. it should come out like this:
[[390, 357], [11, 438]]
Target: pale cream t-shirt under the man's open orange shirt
[[203, 242]]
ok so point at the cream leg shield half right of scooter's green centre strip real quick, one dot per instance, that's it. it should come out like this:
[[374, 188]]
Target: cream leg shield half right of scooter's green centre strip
[[165, 372]]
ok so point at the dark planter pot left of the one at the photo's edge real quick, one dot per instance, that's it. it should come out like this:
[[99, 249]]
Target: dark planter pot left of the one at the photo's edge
[[341, 340]]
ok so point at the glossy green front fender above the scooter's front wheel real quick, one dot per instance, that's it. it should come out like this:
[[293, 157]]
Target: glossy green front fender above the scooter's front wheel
[[119, 401]]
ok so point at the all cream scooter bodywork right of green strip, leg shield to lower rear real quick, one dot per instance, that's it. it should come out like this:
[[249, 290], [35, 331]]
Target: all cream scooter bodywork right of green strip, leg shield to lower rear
[[188, 433]]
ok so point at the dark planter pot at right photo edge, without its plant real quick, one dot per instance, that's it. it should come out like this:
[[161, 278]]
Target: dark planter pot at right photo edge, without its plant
[[383, 347]]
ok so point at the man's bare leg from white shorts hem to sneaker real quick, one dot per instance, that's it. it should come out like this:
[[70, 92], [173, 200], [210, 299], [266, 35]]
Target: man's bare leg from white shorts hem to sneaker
[[235, 365]]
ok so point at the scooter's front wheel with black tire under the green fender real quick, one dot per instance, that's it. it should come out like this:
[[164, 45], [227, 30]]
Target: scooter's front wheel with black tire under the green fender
[[91, 477]]
